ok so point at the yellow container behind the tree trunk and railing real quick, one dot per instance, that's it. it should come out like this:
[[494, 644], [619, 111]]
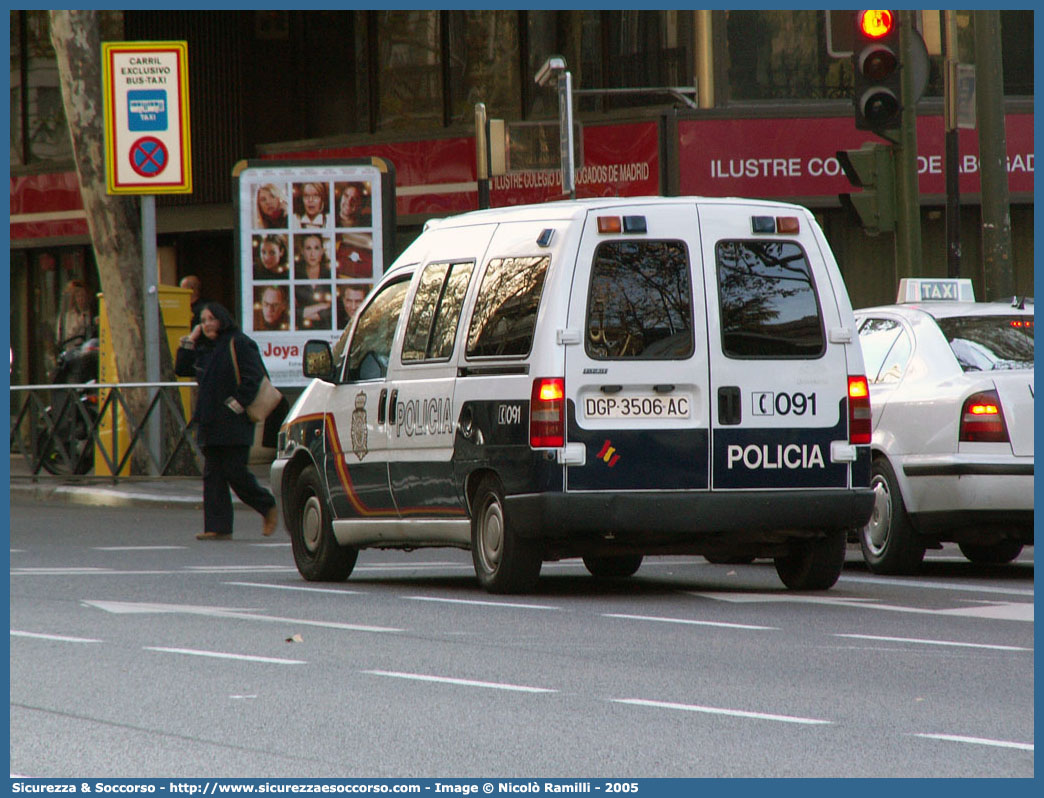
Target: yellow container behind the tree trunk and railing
[[113, 439]]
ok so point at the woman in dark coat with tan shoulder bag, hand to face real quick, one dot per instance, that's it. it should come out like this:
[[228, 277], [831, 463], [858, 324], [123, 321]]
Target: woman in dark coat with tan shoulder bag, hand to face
[[225, 432]]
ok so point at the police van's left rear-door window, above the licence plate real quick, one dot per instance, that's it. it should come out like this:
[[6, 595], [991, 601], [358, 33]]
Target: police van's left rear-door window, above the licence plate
[[640, 302]]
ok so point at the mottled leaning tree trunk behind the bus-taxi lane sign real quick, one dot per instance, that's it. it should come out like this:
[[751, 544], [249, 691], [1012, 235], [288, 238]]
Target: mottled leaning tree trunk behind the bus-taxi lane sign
[[114, 222]]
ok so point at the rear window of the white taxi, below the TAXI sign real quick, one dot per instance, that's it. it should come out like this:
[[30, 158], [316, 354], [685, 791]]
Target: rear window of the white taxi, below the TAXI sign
[[991, 343]]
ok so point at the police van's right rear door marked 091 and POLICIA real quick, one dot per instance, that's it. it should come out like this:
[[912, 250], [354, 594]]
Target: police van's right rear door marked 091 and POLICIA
[[779, 387]]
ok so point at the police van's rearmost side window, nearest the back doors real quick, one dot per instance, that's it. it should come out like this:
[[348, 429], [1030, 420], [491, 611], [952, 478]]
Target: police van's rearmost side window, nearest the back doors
[[506, 311]]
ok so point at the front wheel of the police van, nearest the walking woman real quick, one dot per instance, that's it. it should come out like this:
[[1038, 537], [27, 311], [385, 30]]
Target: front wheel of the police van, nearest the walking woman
[[319, 556]]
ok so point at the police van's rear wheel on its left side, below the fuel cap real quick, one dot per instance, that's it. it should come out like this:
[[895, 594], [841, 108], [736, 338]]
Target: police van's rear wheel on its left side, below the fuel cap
[[505, 562]]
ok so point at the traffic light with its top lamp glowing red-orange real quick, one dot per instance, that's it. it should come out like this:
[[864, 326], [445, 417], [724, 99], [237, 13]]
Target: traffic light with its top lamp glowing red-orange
[[876, 64]]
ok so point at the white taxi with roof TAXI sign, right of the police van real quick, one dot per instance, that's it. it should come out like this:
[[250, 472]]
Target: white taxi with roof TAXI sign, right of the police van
[[952, 386]]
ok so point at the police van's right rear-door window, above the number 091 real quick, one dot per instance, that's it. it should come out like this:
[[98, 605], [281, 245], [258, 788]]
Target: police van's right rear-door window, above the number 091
[[769, 303]]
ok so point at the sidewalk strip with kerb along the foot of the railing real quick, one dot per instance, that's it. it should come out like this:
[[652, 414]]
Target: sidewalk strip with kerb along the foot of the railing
[[160, 491]]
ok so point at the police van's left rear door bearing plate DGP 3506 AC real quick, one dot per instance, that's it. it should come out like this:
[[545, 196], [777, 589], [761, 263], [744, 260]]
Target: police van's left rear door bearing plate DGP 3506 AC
[[637, 378]]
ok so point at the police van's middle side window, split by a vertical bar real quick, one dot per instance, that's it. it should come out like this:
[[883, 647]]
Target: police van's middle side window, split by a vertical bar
[[432, 330]]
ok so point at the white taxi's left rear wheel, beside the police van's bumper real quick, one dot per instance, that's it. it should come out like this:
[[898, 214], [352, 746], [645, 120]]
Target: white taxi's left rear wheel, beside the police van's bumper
[[889, 542]]
